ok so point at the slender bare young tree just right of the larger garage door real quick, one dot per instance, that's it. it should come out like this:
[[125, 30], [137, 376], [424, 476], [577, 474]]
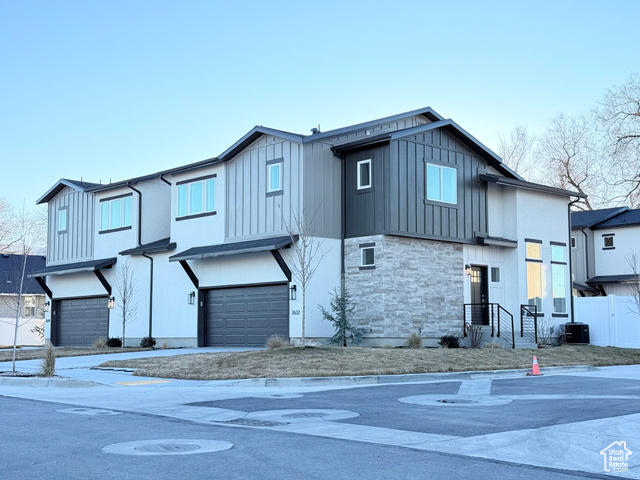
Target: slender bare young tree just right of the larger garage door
[[308, 256]]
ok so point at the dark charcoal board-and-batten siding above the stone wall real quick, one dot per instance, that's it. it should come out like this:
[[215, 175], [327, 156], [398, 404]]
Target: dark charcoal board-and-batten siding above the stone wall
[[397, 203]]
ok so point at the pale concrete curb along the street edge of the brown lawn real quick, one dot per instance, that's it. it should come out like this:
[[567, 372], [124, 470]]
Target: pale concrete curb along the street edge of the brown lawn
[[387, 379]]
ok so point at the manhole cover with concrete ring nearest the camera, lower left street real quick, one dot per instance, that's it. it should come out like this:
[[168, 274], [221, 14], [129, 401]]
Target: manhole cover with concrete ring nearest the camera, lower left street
[[167, 447]]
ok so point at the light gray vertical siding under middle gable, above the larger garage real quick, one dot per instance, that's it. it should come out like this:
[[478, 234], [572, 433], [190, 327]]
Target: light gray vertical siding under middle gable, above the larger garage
[[251, 212]]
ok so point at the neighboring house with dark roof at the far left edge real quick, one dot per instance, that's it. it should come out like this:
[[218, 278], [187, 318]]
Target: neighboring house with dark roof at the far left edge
[[32, 310]]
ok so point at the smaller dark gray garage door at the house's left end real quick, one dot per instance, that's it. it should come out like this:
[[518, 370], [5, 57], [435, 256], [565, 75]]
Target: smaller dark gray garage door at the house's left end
[[82, 320]]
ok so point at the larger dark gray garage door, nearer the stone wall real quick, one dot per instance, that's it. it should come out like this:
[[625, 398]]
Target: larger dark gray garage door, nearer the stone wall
[[246, 316]]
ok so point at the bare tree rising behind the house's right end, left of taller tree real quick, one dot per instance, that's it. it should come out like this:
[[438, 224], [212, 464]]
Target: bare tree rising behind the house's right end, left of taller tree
[[570, 158]]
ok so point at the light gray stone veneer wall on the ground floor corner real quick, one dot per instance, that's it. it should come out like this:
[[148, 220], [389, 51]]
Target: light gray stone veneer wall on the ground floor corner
[[416, 286]]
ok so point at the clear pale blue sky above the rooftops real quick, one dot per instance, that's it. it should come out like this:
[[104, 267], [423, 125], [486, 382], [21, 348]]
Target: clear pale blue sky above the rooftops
[[114, 89]]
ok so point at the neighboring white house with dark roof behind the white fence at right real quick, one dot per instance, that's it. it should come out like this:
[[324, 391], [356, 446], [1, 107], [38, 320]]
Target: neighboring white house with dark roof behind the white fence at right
[[602, 242]]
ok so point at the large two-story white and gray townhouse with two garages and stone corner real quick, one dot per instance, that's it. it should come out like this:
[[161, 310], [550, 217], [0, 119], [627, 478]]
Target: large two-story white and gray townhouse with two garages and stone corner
[[416, 215]]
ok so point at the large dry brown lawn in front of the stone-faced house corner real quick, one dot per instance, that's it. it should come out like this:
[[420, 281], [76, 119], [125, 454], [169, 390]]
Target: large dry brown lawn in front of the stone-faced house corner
[[335, 361]]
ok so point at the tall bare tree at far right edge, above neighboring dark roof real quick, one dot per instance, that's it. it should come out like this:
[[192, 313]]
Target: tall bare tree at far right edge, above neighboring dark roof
[[618, 117]]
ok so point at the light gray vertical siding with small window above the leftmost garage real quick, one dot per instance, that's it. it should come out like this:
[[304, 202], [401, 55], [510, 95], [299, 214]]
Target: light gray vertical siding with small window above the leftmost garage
[[76, 243]]
